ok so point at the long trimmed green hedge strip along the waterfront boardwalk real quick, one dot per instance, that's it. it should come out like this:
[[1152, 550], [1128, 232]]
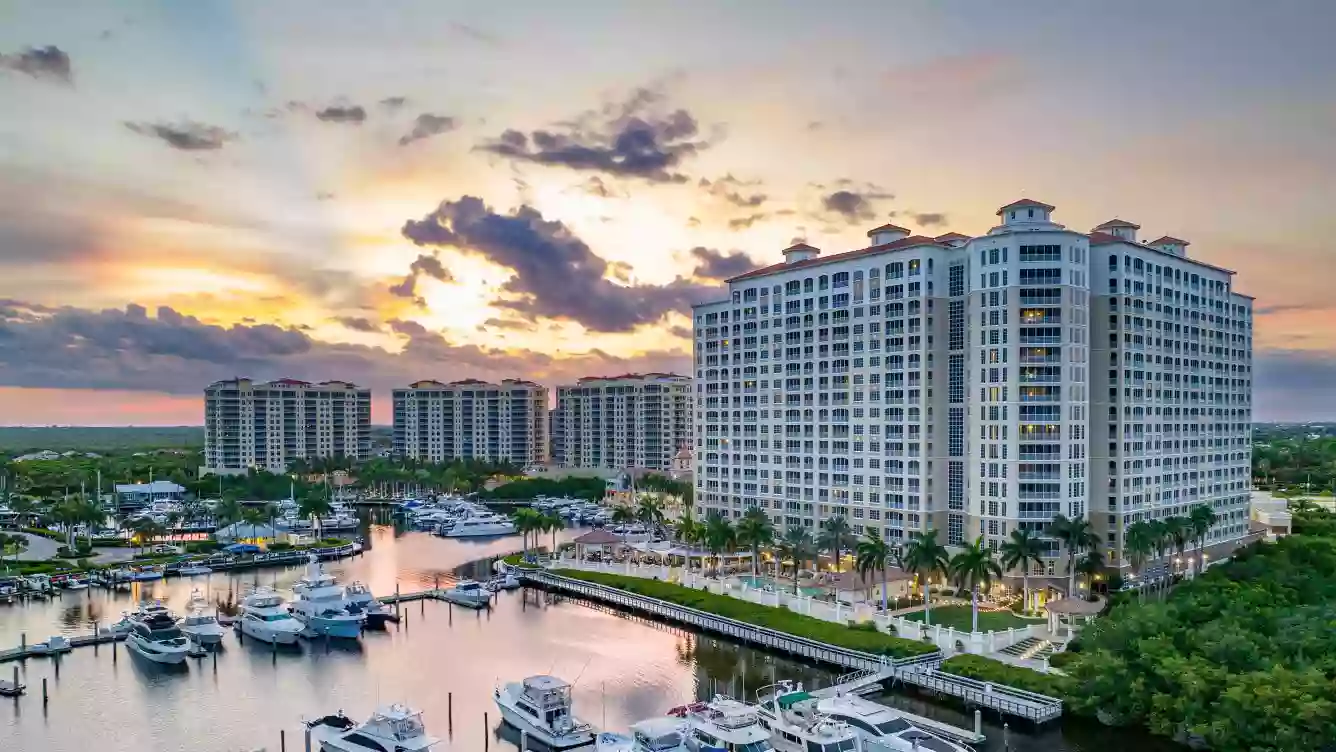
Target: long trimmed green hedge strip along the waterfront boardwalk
[[770, 618]]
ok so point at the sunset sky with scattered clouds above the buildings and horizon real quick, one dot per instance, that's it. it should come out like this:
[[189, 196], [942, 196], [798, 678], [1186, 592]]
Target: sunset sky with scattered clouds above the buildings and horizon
[[392, 192]]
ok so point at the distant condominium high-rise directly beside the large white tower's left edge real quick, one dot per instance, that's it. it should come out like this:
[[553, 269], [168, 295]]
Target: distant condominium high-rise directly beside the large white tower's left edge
[[625, 421]]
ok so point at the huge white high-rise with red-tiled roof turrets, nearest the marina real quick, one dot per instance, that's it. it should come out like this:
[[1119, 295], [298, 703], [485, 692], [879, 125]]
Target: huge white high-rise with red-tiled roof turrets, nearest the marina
[[980, 385]]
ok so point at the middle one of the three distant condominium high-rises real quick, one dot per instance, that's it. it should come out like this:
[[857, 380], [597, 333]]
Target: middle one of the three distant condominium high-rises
[[472, 420]]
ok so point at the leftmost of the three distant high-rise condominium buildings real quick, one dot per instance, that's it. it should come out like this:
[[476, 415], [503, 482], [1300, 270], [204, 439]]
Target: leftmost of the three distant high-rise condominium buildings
[[268, 425]]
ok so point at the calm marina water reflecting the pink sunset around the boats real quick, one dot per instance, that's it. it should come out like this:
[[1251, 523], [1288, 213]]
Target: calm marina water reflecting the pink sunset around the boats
[[625, 669]]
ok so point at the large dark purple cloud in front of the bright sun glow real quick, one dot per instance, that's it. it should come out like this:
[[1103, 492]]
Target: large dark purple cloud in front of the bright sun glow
[[555, 274]]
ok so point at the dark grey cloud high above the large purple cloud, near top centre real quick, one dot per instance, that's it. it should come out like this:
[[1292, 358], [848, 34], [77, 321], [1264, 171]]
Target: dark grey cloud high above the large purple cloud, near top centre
[[629, 141]]
